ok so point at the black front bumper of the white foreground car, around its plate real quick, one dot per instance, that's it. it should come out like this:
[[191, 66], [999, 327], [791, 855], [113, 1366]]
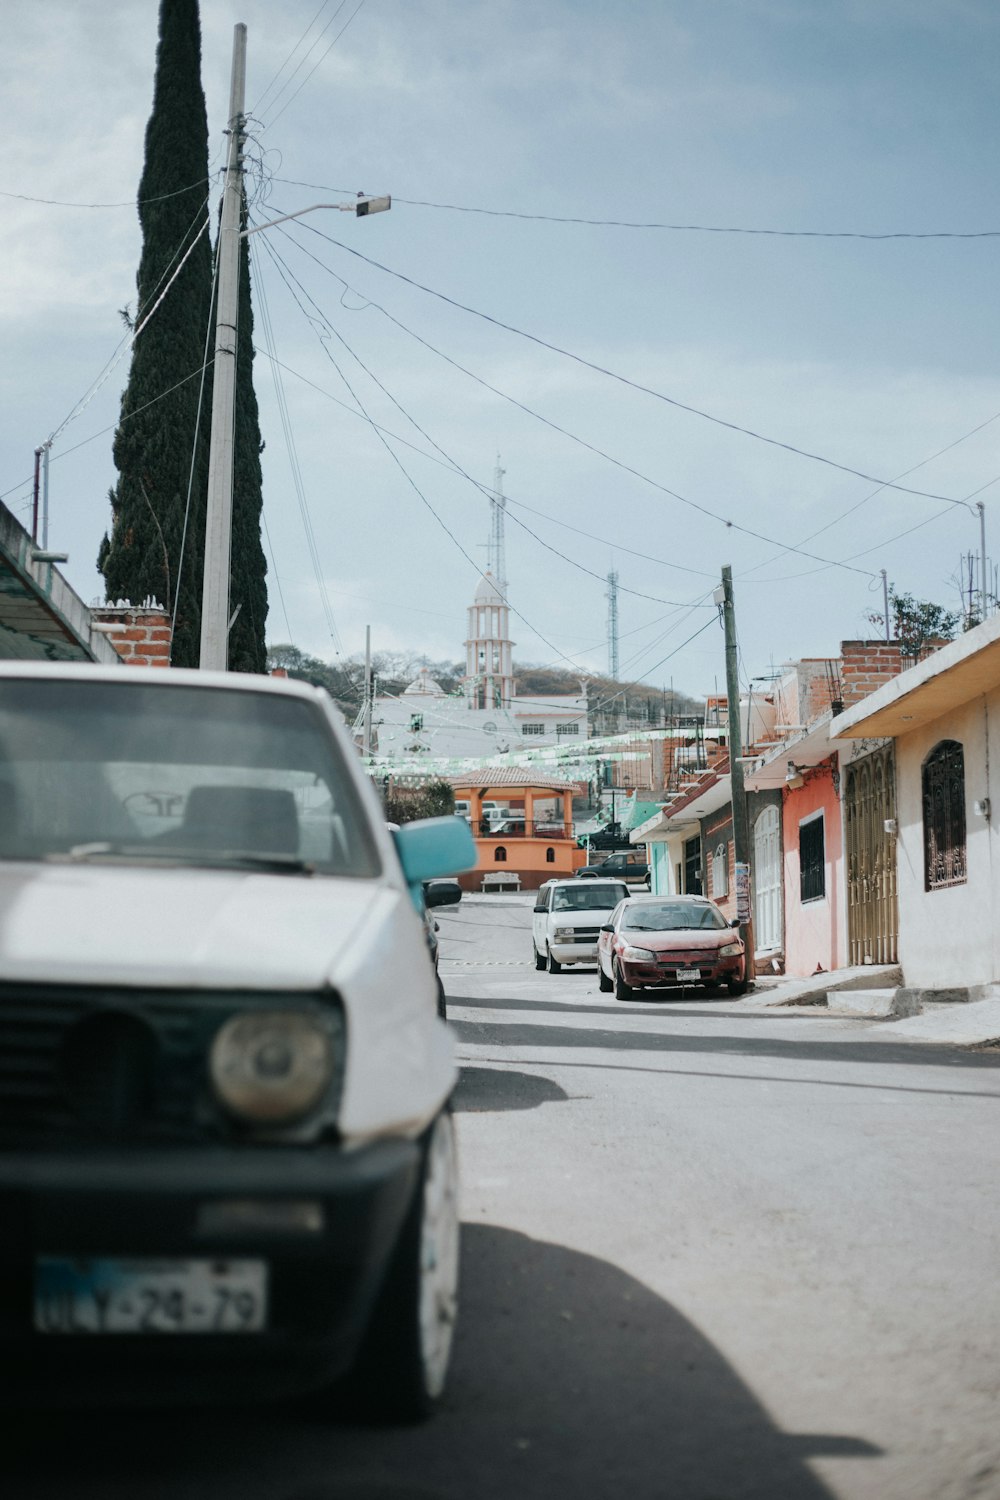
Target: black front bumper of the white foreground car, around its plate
[[323, 1279]]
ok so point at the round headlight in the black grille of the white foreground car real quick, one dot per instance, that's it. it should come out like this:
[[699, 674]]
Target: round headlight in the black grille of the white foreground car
[[272, 1067]]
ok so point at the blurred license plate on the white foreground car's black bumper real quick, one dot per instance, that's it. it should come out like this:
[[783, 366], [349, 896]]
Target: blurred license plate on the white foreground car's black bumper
[[149, 1297]]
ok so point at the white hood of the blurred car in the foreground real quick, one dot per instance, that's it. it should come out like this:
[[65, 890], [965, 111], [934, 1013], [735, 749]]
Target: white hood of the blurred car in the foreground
[[115, 925]]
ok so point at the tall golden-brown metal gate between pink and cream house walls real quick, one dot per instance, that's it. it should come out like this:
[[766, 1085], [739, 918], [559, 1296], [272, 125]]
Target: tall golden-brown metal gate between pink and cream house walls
[[872, 859]]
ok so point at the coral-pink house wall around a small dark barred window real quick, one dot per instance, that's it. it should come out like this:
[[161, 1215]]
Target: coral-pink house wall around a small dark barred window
[[815, 932]]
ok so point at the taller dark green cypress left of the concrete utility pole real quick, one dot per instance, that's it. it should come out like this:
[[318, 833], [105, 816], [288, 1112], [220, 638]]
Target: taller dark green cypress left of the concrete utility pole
[[155, 448]]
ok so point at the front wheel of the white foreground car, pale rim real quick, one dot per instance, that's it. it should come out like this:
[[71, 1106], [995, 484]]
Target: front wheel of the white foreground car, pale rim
[[403, 1367]]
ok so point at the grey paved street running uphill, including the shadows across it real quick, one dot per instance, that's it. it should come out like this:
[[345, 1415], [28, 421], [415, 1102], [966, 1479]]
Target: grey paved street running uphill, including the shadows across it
[[711, 1252]]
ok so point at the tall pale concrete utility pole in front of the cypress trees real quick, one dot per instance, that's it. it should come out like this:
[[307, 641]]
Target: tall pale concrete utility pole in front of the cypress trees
[[215, 601]]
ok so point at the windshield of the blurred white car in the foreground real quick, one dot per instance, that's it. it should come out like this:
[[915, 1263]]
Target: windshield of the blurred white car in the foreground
[[181, 775]]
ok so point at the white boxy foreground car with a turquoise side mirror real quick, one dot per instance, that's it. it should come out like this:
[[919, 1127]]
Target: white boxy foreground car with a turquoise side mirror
[[227, 1160]]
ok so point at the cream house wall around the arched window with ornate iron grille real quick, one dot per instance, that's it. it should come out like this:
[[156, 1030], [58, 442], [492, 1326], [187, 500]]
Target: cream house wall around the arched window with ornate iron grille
[[951, 938]]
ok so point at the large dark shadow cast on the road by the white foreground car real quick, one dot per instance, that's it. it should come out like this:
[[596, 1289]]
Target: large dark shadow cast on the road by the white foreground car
[[570, 1379]]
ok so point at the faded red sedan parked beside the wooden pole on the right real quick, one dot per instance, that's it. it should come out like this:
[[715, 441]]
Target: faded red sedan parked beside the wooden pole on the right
[[669, 941]]
